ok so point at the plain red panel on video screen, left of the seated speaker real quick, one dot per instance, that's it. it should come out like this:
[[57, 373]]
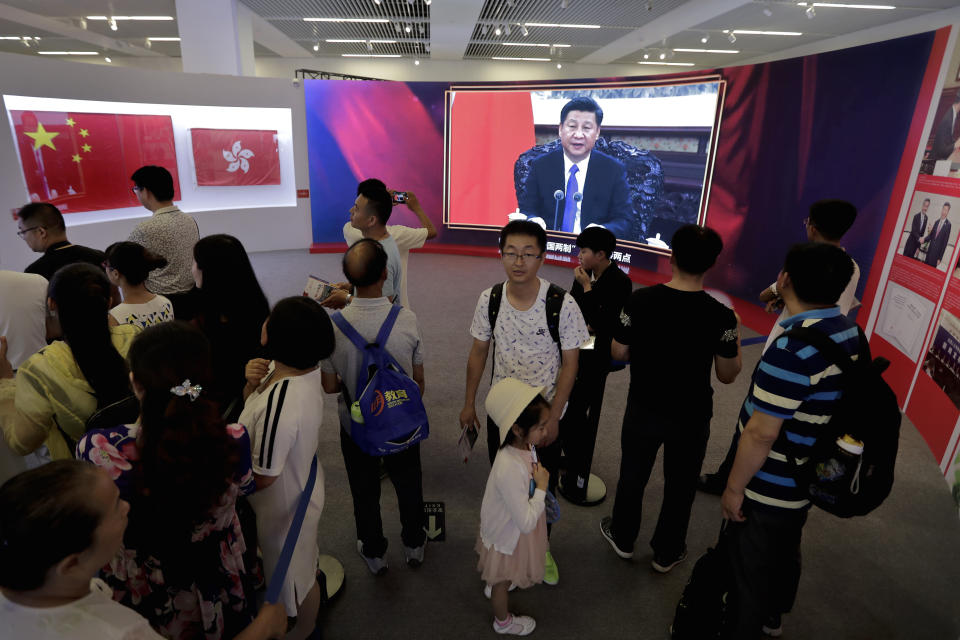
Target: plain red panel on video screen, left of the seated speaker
[[489, 129]]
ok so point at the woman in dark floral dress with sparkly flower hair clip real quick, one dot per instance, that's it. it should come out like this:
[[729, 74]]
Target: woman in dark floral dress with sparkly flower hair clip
[[181, 468]]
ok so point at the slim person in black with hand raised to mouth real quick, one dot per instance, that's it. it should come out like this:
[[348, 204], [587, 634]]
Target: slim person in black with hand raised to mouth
[[601, 289]]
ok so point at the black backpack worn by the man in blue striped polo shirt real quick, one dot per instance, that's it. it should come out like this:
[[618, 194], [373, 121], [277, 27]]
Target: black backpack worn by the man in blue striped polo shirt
[[840, 483]]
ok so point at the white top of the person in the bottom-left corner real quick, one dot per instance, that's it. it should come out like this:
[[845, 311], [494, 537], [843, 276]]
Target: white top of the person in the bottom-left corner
[[93, 617]]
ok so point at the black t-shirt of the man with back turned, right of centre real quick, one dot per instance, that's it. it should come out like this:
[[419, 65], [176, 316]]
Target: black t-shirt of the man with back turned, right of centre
[[673, 336]]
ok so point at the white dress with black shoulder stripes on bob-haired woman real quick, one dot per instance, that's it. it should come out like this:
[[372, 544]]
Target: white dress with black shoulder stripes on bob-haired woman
[[284, 426]]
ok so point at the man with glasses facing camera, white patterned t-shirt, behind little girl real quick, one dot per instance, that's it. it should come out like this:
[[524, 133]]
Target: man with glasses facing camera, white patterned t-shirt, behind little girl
[[524, 346]]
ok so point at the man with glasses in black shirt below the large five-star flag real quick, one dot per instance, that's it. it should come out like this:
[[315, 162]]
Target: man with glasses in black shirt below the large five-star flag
[[41, 226]]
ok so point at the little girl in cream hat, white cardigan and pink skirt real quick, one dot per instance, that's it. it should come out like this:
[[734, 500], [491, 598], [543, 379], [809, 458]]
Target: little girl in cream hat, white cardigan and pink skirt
[[513, 527]]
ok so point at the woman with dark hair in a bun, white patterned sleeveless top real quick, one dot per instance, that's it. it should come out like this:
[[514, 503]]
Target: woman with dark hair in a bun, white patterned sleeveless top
[[128, 264]]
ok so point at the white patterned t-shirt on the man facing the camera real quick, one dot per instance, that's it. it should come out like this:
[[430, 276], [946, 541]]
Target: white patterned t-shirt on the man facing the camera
[[523, 347]]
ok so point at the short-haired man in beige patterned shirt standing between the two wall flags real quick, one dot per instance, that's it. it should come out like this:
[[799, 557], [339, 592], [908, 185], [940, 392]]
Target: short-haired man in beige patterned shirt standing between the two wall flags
[[170, 233]]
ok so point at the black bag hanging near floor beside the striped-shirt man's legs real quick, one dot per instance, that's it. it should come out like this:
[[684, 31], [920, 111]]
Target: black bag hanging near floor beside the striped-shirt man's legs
[[707, 609]]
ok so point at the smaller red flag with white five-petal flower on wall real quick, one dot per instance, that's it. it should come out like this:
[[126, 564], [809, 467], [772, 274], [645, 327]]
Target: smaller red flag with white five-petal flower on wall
[[235, 157]]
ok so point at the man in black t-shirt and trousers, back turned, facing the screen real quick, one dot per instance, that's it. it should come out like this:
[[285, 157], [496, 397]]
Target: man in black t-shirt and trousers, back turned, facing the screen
[[672, 334]]
